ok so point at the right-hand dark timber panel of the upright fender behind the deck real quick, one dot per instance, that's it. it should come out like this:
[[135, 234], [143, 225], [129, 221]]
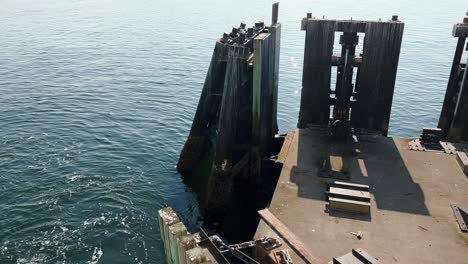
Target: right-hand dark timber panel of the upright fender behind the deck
[[377, 75]]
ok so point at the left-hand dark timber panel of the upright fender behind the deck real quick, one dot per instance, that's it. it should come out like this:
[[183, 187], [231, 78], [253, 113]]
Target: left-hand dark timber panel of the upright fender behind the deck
[[318, 51]]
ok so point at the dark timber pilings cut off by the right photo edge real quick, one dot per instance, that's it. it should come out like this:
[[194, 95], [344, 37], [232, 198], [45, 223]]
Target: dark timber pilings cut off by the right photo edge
[[454, 115]]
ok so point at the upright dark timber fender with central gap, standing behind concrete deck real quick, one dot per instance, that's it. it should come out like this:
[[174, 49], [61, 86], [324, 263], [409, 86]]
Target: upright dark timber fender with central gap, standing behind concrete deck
[[366, 103]]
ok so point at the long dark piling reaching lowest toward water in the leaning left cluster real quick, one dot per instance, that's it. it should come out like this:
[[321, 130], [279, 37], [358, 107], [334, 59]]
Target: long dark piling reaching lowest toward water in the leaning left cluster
[[230, 125]]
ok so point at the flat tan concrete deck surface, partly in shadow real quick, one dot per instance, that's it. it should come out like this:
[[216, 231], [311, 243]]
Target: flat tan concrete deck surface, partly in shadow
[[410, 218]]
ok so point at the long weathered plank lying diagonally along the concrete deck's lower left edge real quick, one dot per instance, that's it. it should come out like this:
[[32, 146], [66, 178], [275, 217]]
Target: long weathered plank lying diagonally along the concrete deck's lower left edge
[[293, 241]]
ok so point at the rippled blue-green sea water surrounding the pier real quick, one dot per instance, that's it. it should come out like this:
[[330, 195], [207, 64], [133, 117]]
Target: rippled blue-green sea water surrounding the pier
[[97, 98]]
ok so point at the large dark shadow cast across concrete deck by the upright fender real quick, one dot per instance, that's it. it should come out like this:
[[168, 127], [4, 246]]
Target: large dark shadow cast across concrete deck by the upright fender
[[372, 160]]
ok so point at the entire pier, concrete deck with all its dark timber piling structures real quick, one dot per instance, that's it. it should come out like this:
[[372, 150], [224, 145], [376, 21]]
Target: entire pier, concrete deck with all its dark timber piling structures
[[345, 192]]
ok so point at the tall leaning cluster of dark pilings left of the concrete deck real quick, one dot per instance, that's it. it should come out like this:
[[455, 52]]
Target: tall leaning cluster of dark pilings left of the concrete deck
[[236, 114]]
